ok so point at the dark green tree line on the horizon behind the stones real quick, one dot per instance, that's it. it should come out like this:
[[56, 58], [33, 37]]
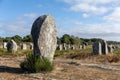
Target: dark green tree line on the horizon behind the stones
[[66, 38]]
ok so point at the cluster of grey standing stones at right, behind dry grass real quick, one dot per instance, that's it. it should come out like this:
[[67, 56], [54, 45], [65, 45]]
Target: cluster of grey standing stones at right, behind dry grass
[[100, 48]]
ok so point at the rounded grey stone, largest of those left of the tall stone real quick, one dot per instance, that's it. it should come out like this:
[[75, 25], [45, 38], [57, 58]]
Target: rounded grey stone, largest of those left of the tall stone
[[12, 46]]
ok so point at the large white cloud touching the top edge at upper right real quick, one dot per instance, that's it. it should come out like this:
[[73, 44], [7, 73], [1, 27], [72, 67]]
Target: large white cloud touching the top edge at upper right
[[92, 7]]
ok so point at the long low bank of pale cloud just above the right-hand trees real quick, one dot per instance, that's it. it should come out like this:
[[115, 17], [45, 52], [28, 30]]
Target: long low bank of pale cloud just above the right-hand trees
[[105, 31]]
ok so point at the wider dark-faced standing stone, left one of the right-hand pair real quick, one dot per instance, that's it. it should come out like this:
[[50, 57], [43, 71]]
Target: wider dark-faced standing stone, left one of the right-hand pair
[[97, 48]]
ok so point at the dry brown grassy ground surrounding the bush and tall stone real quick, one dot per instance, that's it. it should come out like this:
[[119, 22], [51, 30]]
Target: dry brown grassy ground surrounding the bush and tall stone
[[66, 66]]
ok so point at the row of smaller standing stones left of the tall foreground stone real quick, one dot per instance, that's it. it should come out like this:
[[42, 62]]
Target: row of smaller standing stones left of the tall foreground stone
[[12, 46]]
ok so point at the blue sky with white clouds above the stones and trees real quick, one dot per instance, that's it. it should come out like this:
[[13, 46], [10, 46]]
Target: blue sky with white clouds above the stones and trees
[[82, 18]]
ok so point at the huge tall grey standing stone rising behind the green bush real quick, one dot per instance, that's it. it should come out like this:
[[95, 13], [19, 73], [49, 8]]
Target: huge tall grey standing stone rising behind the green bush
[[44, 36]]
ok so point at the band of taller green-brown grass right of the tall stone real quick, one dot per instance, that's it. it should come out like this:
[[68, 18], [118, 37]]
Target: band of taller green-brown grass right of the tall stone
[[86, 54]]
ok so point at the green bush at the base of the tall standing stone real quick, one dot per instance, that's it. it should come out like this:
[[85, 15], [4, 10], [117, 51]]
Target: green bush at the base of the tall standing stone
[[36, 64]]
